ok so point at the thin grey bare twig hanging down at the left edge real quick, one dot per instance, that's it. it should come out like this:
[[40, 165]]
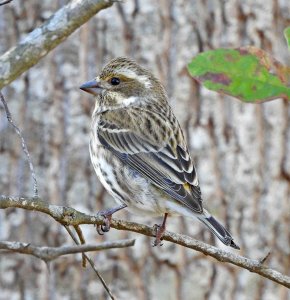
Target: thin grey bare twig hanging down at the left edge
[[23, 144]]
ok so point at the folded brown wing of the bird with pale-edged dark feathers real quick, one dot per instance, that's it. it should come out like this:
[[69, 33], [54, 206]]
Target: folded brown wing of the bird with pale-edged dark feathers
[[165, 162]]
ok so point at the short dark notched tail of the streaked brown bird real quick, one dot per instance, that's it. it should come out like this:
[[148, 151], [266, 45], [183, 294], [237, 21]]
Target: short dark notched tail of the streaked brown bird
[[218, 230]]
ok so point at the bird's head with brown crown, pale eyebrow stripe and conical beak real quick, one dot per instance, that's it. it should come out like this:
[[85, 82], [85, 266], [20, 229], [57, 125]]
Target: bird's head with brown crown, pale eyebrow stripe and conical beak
[[123, 83]]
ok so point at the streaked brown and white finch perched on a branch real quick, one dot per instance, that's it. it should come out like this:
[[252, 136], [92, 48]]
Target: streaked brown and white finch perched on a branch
[[139, 151]]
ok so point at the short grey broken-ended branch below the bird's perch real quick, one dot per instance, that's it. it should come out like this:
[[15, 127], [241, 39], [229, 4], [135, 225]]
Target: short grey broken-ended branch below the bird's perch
[[48, 254]]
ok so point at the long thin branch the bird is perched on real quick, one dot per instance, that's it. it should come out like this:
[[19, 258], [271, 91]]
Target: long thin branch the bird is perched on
[[70, 216]]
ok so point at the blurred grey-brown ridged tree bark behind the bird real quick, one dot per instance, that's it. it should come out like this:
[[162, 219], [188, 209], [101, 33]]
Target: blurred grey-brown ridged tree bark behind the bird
[[242, 152]]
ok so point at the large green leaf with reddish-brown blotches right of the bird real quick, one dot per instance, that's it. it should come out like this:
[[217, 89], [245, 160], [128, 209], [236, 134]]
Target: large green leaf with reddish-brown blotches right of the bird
[[249, 74]]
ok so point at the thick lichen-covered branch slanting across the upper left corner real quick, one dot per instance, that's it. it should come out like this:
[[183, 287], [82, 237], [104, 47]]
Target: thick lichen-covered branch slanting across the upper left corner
[[43, 39]]
